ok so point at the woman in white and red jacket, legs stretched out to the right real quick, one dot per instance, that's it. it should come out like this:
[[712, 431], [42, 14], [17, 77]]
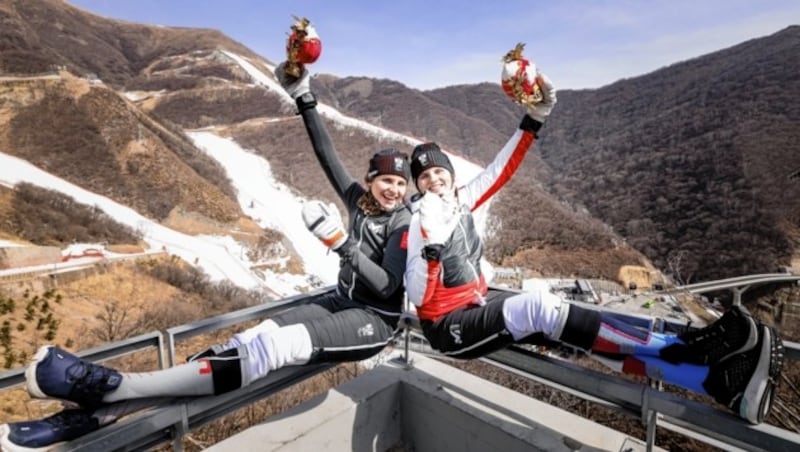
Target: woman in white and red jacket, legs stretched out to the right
[[735, 360]]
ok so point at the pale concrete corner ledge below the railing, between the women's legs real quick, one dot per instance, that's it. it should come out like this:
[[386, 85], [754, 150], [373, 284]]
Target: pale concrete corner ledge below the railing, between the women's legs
[[428, 407]]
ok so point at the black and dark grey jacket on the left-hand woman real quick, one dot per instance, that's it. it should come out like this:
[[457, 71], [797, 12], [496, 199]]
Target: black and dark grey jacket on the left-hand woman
[[372, 271]]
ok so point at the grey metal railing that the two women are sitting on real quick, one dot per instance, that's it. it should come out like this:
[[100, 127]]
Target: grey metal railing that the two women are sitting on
[[169, 420]]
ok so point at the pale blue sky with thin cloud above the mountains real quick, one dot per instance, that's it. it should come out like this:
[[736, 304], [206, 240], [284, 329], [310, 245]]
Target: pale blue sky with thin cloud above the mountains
[[429, 44]]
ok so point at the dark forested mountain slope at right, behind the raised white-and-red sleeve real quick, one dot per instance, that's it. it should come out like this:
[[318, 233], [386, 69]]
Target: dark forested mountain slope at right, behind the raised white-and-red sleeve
[[601, 148]]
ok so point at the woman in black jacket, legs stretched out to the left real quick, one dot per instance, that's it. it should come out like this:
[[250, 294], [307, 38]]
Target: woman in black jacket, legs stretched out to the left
[[354, 322]]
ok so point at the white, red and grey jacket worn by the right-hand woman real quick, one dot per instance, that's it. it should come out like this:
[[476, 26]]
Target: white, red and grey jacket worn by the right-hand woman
[[455, 280]]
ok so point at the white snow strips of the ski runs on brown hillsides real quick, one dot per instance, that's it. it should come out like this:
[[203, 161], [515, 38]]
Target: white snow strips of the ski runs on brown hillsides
[[271, 204]]
